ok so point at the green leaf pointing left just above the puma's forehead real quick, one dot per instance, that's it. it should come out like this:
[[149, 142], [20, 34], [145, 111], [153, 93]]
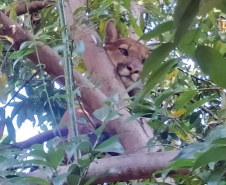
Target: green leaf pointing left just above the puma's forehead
[[163, 27]]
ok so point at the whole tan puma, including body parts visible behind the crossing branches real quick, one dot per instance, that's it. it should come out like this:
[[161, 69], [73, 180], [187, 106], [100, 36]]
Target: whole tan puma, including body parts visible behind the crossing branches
[[127, 55]]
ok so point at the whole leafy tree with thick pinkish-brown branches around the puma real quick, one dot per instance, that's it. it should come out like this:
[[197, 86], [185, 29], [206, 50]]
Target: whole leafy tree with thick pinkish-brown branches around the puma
[[179, 105]]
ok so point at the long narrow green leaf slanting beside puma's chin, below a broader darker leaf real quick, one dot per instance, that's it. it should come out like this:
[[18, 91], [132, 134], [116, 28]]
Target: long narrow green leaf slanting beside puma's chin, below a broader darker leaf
[[156, 76]]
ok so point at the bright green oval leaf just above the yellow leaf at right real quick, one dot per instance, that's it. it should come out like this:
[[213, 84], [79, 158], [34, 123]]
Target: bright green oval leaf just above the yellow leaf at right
[[184, 98]]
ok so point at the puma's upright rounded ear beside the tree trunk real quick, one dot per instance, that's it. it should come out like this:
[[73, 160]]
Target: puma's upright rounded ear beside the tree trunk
[[112, 34]]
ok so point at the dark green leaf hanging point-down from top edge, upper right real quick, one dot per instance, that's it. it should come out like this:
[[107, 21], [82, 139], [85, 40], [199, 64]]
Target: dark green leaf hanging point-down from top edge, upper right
[[184, 15]]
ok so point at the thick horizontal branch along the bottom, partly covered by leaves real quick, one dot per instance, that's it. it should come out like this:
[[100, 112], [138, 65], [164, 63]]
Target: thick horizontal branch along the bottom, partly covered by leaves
[[124, 167]]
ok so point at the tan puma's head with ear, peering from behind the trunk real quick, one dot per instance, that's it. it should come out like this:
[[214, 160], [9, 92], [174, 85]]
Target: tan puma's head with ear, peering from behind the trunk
[[126, 54]]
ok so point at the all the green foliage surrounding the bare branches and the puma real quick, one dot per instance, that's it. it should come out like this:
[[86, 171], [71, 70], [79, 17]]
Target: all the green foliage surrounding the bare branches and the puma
[[183, 95]]
